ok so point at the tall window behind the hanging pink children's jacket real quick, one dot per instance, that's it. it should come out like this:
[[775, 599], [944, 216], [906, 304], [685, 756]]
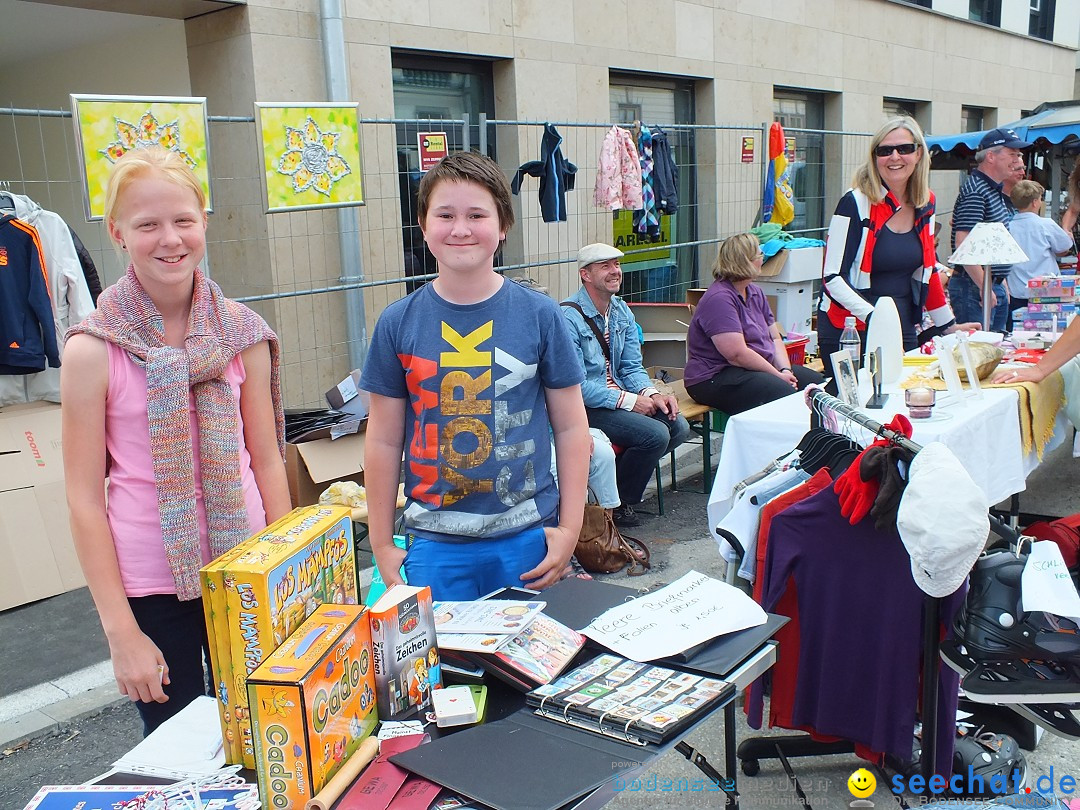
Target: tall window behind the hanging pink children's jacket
[[657, 101]]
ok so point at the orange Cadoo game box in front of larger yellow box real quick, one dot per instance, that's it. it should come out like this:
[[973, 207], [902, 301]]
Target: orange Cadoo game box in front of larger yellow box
[[313, 705]]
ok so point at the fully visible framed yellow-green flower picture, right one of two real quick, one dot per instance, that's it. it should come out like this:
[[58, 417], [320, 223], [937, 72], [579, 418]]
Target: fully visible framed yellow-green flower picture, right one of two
[[310, 156]]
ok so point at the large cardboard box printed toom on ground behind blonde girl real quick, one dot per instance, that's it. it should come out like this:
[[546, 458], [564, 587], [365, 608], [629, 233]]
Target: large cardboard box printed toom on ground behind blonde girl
[[37, 555]]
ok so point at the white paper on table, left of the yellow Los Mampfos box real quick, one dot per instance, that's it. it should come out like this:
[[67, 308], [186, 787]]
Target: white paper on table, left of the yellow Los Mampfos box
[[187, 745]]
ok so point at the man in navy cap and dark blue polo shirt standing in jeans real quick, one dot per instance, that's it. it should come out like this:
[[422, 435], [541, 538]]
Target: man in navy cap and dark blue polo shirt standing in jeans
[[982, 200]]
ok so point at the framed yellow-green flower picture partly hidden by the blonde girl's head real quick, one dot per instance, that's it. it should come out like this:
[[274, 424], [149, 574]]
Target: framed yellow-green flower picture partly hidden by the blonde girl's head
[[107, 127]]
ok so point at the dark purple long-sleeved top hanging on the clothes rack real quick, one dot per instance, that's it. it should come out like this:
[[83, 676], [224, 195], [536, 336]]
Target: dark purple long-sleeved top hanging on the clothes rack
[[860, 629]]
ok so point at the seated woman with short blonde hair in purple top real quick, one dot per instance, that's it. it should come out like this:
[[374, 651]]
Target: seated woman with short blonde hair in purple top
[[737, 357]]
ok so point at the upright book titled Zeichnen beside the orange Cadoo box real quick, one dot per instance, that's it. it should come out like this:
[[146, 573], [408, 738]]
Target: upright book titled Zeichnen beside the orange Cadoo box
[[404, 656]]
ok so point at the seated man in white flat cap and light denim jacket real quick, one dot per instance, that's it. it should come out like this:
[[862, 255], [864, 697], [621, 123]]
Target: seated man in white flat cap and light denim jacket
[[620, 399]]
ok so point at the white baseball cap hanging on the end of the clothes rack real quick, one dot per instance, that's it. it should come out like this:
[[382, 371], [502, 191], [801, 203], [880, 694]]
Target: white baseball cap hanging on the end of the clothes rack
[[942, 520]]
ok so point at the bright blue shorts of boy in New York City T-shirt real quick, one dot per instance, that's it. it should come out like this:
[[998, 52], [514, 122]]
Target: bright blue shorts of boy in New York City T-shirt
[[468, 571]]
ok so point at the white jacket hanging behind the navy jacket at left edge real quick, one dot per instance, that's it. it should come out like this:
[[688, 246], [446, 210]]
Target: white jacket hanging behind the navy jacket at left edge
[[69, 291]]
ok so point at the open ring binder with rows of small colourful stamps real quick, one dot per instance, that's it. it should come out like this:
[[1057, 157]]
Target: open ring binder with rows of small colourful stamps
[[629, 700]]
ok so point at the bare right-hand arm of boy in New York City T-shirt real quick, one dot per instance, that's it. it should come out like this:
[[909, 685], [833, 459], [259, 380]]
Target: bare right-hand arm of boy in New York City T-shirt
[[571, 429]]
